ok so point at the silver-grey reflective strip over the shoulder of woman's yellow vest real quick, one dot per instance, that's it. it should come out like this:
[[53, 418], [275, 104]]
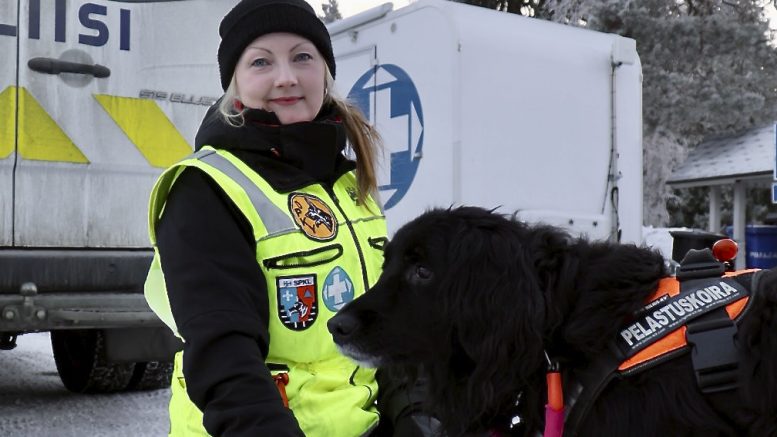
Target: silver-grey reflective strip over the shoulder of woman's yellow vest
[[274, 219]]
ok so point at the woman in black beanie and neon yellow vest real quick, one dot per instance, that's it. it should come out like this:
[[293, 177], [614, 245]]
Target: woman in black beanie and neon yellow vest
[[263, 234]]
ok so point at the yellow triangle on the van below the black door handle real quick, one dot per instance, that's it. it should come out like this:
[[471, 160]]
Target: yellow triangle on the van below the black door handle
[[40, 138]]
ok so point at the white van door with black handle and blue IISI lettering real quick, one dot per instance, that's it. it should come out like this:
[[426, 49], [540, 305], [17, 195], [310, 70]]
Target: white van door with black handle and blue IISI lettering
[[110, 93]]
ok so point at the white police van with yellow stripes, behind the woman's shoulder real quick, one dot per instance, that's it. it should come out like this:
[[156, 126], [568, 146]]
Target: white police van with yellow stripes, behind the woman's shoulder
[[96, 98]]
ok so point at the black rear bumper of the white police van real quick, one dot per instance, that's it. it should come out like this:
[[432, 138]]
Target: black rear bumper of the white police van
[[45, 289]]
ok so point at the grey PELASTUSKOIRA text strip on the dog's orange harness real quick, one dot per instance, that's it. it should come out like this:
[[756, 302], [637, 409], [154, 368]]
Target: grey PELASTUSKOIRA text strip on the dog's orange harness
[[669, 313]]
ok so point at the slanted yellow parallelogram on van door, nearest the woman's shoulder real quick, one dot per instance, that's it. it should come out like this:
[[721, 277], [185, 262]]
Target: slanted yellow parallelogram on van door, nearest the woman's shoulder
[[148, 128]]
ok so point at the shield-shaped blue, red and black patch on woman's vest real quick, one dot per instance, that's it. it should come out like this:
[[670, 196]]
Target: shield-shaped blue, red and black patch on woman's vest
[[297, 301]]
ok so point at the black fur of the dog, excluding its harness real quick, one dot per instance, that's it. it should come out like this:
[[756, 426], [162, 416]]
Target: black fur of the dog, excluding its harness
[[473, 299]]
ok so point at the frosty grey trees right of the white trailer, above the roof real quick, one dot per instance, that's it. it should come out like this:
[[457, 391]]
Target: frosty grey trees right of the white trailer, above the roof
[[709, 67]]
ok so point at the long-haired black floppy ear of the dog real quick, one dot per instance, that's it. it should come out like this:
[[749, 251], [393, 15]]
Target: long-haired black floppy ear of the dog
[[495, 306]]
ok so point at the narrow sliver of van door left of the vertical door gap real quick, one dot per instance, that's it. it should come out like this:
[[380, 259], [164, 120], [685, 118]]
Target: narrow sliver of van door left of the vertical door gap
[[8, 35]]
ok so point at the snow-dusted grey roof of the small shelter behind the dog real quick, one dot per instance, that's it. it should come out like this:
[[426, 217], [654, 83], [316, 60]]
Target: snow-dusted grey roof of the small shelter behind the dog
[[723, 159]]
